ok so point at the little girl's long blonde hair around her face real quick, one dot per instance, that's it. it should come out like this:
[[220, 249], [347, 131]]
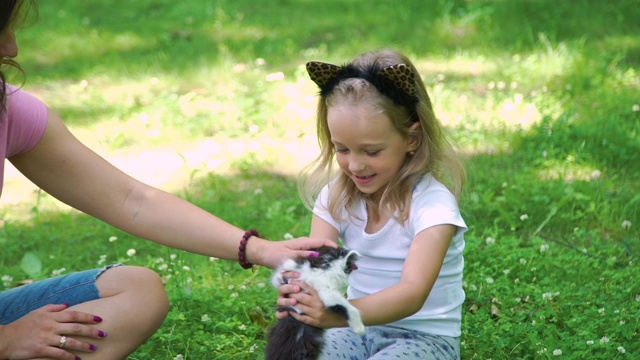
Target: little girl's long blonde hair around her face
[[434, 153]]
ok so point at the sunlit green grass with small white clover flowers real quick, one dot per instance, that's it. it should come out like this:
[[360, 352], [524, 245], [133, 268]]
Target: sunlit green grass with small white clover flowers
[[541, 97]]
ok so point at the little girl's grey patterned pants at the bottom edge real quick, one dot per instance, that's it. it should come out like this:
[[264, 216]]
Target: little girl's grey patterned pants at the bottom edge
[[386, 342]]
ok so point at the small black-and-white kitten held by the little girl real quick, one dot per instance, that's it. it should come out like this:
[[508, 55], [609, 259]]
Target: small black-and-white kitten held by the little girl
[[290, 339]]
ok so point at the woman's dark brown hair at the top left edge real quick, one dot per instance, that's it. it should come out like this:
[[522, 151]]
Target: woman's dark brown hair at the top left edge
[[12, 16]]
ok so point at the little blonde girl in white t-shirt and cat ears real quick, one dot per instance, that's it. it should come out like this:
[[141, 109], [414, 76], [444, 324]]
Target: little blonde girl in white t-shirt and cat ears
[[389, 202]]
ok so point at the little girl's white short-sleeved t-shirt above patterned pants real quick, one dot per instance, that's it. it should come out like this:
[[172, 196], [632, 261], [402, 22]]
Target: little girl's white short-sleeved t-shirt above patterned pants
[[384, 254]]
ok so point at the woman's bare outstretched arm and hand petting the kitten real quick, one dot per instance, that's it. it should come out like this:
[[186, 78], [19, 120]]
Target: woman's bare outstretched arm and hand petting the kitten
[[68, 170]]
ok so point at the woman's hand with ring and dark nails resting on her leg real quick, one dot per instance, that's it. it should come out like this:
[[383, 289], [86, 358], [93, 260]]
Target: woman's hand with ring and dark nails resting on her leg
[[49, 332]]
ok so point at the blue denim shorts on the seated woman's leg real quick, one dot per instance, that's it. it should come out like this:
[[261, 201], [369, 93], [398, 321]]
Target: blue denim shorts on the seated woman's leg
[[71, 289]]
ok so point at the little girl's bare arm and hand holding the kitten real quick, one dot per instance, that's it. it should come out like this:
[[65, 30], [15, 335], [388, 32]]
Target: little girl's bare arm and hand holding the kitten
[[404, 299]]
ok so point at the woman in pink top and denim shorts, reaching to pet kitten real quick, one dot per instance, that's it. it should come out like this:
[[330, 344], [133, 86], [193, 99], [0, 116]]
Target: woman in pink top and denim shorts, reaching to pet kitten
[[102, 313]]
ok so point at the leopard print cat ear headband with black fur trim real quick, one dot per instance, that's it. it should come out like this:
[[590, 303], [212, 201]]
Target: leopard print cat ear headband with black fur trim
[[395, 81]]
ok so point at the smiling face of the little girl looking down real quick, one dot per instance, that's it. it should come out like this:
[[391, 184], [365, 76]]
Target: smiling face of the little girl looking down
[[368, 148]]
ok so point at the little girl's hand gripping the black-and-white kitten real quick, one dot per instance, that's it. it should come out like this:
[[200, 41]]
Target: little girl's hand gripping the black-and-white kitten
[[312, 309]]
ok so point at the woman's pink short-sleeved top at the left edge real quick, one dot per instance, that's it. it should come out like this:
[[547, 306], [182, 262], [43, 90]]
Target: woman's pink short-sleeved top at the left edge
[[21, 126]]
